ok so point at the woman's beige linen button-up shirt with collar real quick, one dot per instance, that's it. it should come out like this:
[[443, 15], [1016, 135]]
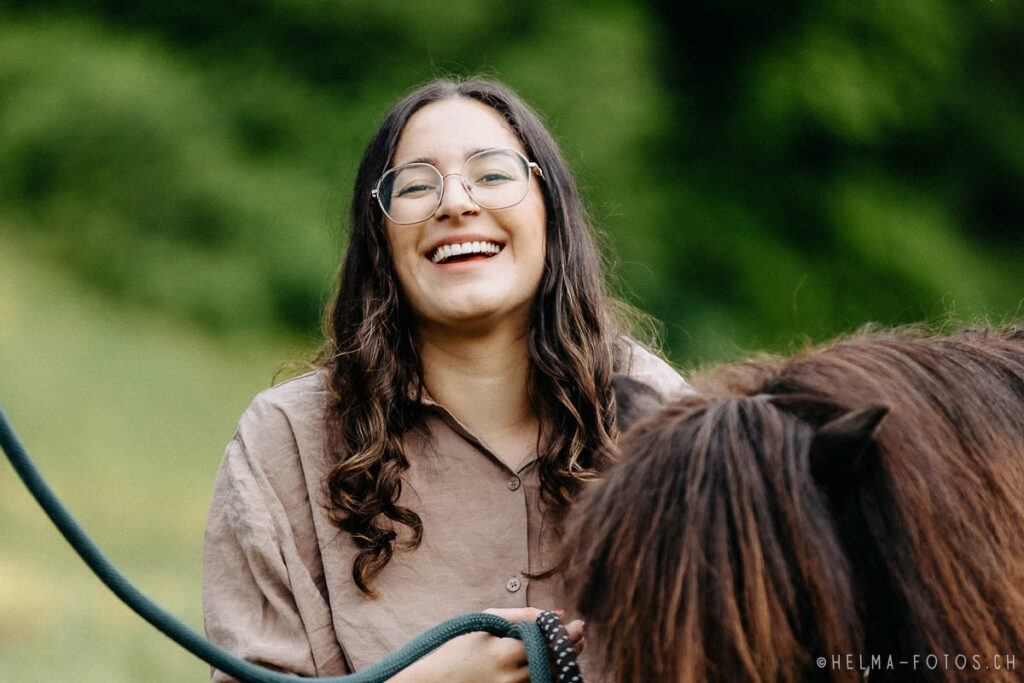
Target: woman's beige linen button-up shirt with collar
[[277, 574]]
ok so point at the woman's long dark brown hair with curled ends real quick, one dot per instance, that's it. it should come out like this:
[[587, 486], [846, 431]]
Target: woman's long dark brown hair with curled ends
[[374, 367]]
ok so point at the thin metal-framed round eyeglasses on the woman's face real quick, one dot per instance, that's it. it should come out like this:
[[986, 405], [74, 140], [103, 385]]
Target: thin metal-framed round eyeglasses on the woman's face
[[493, 179]]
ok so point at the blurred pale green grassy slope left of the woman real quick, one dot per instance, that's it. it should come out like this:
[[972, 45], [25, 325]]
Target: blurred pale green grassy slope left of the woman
[[127, 413]]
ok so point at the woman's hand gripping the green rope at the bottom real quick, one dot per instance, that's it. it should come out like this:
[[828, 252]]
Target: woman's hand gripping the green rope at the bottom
[[482, 657]]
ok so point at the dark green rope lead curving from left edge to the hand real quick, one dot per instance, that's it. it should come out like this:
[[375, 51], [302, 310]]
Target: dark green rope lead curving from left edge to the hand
[[248, 672]]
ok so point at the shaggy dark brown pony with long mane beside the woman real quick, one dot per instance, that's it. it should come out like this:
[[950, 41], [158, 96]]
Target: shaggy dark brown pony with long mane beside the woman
[[855, 511]]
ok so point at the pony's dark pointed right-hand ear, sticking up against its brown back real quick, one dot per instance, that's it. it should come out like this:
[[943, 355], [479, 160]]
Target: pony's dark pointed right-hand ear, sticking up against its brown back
[[841, 446]]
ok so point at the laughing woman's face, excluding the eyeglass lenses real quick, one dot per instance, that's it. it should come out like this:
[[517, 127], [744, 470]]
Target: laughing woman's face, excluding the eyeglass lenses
[[478, 292]]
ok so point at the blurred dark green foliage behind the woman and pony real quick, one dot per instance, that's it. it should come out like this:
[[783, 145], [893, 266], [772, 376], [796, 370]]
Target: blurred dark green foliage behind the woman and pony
[[763, 174]]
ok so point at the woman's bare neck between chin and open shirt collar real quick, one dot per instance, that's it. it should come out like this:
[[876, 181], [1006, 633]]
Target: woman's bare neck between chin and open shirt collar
[[483, 381]]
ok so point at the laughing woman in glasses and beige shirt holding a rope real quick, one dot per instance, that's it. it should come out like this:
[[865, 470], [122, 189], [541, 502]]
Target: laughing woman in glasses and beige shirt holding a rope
[[463, 399]]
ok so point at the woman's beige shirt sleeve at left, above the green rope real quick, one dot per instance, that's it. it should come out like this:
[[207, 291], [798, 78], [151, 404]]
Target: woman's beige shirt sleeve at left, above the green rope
[[251, 607]]
